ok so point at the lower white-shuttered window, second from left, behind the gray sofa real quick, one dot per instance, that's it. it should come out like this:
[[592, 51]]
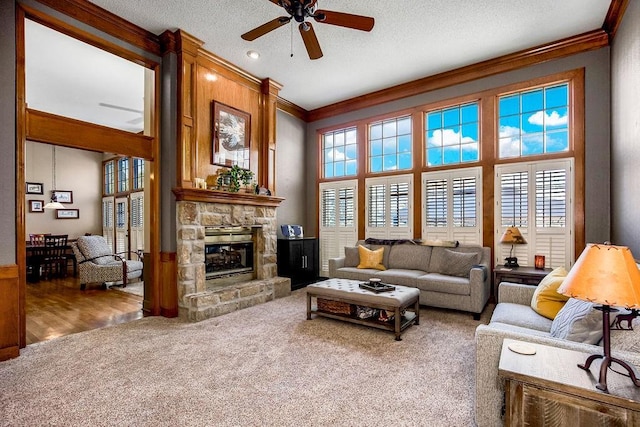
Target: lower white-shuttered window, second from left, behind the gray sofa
[[389, 209]]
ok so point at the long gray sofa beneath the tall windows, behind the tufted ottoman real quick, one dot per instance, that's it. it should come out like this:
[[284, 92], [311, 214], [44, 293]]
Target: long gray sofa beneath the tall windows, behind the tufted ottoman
[[447, 277]]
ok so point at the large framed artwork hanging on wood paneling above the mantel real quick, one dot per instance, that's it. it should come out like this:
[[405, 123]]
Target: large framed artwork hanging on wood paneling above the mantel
[[231, 136]]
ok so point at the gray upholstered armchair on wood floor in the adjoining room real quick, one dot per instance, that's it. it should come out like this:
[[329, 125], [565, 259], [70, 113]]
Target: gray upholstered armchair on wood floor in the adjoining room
[[98, 263]]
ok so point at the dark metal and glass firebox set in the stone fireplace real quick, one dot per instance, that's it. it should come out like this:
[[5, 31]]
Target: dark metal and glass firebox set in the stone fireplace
[[228, 251]]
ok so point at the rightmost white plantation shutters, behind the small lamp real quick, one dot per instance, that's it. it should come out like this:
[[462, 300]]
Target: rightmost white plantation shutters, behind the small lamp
[[537, 198]]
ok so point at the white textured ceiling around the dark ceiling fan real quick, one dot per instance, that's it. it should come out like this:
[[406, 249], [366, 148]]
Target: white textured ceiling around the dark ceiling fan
[[411, 38]]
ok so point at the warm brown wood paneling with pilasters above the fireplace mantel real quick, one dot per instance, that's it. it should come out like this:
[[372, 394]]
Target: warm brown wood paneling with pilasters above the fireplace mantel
[[204, 78]]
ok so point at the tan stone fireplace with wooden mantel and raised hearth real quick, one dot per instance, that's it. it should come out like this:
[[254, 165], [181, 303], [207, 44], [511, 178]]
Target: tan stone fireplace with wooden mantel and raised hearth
[[235, 221]]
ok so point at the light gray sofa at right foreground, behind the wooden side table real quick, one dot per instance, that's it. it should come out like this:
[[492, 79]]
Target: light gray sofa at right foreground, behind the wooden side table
[[513, 318]]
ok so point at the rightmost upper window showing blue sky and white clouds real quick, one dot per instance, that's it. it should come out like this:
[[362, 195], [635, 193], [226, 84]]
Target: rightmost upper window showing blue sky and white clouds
[[534, 122]]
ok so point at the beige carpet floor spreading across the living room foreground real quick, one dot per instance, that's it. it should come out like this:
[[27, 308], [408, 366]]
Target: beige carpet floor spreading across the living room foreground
[[261, 366]]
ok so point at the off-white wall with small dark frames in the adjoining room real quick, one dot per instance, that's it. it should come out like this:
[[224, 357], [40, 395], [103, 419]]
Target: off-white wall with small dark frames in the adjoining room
[[78, 171]]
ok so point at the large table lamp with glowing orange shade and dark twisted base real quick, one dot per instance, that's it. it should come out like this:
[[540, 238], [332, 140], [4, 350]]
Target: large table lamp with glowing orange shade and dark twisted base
[[606, 275]]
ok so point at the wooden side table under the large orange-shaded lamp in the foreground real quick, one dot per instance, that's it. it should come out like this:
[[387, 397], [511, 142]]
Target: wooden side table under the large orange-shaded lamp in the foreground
[[548, 389]]
